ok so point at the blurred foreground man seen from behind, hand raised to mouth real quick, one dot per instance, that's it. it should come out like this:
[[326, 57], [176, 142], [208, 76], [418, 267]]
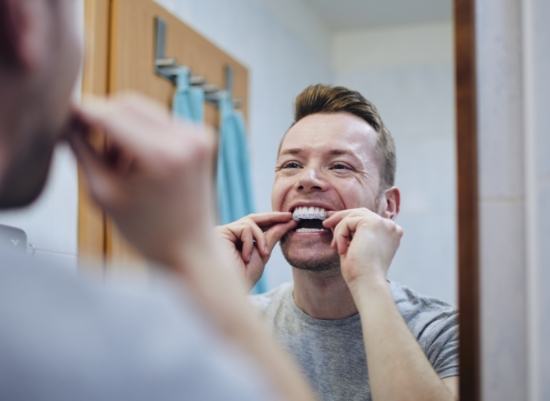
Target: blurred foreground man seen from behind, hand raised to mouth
[[66, 338]]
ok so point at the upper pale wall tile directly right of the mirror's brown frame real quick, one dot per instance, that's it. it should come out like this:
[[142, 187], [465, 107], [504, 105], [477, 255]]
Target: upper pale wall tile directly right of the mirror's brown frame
[[500, 117]]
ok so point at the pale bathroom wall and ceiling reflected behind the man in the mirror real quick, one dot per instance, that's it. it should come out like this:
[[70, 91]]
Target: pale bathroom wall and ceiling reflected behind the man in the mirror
[[399, 55]]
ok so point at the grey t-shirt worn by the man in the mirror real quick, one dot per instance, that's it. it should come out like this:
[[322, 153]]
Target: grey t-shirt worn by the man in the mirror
[[331, 352]]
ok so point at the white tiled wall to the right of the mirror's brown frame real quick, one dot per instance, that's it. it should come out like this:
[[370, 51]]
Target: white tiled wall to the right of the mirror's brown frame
[[513, 41]]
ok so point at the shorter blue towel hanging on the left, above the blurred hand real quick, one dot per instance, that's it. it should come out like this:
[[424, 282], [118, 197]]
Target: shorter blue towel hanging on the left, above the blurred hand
[[188, 101]]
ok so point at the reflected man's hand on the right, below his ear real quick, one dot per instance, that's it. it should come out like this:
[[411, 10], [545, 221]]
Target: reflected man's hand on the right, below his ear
[[366, 243]]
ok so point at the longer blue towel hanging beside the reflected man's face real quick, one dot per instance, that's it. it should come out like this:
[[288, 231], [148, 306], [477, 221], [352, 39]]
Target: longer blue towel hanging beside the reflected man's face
[[233, 182]]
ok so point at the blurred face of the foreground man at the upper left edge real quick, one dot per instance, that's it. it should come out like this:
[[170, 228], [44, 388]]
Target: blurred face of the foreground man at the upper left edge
[[40, 95]]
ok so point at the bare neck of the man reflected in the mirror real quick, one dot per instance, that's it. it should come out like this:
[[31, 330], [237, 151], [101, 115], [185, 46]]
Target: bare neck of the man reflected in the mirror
[[323, 295]]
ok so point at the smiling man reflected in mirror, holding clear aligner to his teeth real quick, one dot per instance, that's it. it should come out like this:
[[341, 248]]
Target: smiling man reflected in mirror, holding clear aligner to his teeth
[[356, 335]]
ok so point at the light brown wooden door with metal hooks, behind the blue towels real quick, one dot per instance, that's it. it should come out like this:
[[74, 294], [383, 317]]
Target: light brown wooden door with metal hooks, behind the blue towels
[[120, 57]]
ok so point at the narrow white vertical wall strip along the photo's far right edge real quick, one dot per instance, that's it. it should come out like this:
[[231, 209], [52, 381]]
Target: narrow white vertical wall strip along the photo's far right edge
[[537, 66]]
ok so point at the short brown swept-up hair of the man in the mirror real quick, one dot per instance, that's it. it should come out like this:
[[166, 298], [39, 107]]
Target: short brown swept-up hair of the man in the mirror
[[333, 99]]
